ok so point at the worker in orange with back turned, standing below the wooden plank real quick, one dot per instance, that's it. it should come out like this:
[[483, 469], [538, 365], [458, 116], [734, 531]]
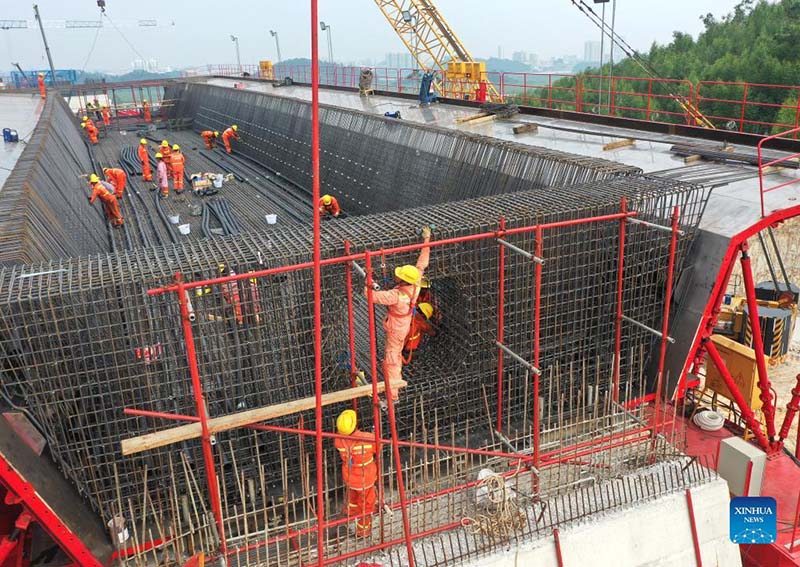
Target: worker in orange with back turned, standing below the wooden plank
[[359, 470]]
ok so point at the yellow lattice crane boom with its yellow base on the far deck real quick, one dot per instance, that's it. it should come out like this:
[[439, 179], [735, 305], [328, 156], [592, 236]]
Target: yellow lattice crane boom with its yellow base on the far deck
[[434, 45]]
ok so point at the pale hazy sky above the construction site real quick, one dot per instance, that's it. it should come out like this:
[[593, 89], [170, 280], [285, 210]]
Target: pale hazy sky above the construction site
[[202, 28]]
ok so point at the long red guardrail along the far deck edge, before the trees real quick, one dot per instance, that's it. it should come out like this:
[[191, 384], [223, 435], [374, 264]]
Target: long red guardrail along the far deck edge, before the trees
[[745, 107]]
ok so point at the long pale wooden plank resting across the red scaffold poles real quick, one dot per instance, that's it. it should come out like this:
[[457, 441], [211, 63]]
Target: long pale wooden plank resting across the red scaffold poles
[[193, 430]]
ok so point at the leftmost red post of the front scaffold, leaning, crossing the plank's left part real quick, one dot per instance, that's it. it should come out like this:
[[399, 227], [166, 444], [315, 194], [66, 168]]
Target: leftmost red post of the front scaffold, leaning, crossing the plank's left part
[[200, 404]]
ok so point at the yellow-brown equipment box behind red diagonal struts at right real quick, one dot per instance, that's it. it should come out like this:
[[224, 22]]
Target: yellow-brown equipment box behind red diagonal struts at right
[[741, 362]]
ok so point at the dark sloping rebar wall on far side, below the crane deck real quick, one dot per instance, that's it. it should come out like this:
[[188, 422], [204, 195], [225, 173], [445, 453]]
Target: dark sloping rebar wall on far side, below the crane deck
[[374, 164]]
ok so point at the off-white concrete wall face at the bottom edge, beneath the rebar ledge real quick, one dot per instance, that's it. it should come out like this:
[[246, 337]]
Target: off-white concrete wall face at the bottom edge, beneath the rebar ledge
[[657, 533]]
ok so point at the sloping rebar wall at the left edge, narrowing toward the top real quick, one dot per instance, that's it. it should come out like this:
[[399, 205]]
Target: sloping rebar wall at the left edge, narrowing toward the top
[[43, 209]]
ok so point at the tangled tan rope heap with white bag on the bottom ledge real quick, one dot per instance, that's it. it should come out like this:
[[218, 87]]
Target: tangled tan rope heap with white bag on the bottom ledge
[[506, 518]]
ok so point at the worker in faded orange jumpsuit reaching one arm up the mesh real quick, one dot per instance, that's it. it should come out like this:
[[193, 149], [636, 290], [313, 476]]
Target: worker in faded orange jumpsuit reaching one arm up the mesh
[[400, 302]]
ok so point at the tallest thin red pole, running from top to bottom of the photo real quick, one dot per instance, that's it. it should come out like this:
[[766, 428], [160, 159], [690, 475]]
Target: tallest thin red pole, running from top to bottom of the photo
[[317, 257]]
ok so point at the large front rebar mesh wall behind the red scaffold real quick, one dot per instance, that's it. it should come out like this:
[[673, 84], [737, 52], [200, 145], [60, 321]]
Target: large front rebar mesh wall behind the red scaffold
[[93, 342]]
